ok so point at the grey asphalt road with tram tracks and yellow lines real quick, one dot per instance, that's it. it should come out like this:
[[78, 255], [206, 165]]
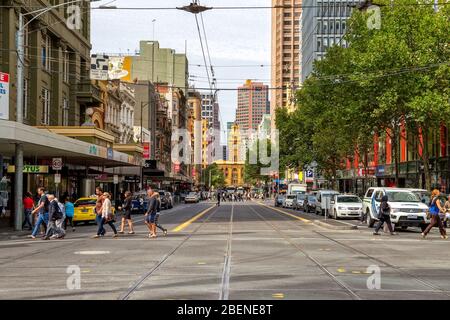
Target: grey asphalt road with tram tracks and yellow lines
[[235, 251]]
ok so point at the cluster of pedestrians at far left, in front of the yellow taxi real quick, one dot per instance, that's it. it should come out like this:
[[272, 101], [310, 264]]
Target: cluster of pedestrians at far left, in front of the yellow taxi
[[49, 214]]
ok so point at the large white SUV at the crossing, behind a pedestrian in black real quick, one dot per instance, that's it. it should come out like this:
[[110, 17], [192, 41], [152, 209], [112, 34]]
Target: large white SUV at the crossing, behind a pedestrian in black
[[406, 208]]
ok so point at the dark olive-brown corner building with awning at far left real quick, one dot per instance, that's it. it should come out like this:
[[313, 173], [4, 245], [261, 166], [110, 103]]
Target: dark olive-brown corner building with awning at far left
[[64, 111]]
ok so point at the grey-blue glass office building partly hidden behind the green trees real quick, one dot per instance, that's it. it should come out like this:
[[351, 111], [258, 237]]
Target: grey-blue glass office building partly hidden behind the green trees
[[323, 25]]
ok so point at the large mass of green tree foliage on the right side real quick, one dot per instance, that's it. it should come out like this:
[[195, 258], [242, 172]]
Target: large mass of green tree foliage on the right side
[[397, 75]]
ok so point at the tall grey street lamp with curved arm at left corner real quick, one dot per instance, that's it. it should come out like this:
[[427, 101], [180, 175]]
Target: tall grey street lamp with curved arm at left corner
[[18, 189]]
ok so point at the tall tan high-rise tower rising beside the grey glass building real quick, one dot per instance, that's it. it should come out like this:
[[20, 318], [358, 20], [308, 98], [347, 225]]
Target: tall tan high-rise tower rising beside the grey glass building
[[286, 51]]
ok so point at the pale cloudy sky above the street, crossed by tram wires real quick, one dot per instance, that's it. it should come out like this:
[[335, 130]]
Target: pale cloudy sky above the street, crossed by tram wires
[[235, 38]]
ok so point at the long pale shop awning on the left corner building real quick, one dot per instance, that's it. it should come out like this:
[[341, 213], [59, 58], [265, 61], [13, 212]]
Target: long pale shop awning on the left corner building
[[41, 143]]
